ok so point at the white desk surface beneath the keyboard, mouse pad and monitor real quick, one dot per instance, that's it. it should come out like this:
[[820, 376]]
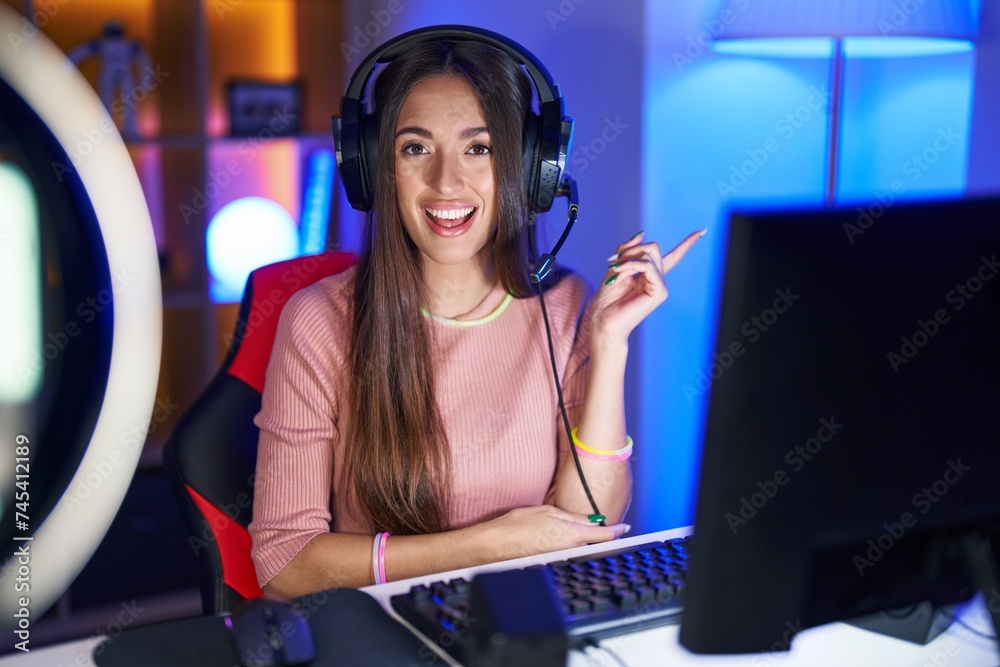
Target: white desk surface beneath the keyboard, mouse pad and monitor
[[832, 645]]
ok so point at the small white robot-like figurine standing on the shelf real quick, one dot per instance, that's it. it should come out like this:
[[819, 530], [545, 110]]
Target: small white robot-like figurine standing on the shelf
[[116, 80]]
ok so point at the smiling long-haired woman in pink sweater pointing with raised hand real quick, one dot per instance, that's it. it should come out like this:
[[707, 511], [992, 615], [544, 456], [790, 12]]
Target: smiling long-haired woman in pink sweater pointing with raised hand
[[412, 395]]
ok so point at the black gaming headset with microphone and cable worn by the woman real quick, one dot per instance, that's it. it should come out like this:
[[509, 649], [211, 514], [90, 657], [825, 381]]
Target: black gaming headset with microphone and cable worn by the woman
[[546, 140]]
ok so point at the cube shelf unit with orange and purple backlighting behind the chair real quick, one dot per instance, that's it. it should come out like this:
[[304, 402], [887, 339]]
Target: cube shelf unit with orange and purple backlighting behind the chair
[[195, 48]]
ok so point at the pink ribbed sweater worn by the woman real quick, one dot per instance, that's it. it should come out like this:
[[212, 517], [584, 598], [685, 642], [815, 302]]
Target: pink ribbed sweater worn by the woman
[[495, 393]]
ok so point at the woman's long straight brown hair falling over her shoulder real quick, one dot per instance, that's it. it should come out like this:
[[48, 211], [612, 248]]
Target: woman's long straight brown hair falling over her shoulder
[[397, 454]]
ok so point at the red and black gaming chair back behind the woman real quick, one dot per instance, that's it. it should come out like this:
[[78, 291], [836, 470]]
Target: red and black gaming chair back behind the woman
[[211, 456]]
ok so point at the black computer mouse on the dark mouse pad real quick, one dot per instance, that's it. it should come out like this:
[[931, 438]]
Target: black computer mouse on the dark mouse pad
[[270, 633]]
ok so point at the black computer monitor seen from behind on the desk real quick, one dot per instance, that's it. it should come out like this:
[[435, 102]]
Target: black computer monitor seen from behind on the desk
[[850, 453]]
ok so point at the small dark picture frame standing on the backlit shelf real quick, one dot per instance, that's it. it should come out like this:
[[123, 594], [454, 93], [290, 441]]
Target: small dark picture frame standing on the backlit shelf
[[264, 108]]
